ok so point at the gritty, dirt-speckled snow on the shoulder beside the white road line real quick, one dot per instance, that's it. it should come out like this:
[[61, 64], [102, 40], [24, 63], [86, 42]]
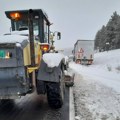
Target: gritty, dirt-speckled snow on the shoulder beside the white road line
[[95, 101]]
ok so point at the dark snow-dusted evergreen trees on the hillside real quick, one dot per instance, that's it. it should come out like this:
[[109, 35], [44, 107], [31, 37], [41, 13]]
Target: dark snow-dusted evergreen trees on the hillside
[[108, 37]]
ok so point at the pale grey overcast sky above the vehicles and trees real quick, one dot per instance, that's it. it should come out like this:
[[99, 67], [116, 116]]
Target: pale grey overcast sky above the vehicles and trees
[[75, 19]]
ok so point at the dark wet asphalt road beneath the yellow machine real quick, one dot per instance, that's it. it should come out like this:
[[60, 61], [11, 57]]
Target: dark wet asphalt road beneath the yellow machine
[[33, 107]]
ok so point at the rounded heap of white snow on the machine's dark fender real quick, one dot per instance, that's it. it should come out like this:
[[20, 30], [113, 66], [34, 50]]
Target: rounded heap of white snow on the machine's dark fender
[[53, 59]]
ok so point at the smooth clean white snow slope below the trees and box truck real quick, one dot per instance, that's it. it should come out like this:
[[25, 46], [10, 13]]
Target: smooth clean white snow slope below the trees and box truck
[[104, 69]]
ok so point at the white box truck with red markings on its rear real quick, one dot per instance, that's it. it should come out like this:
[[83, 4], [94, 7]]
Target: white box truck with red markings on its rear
[[84, 52]]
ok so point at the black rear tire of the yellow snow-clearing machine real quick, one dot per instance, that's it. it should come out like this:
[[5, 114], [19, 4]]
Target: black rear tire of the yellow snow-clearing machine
[[55, 95]]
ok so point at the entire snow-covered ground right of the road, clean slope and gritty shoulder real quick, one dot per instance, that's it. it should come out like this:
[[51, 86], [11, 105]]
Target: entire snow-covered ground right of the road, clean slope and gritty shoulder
[[97, 87]]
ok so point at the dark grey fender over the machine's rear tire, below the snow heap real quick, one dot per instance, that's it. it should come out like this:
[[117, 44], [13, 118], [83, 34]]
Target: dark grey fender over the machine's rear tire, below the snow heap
[[46, 74]]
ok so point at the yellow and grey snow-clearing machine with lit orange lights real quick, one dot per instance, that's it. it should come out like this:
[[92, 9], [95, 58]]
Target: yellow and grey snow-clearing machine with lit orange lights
[[26, 64]]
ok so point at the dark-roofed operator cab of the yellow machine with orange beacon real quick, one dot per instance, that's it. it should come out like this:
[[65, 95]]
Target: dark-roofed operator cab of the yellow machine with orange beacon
[[40, 23]]
